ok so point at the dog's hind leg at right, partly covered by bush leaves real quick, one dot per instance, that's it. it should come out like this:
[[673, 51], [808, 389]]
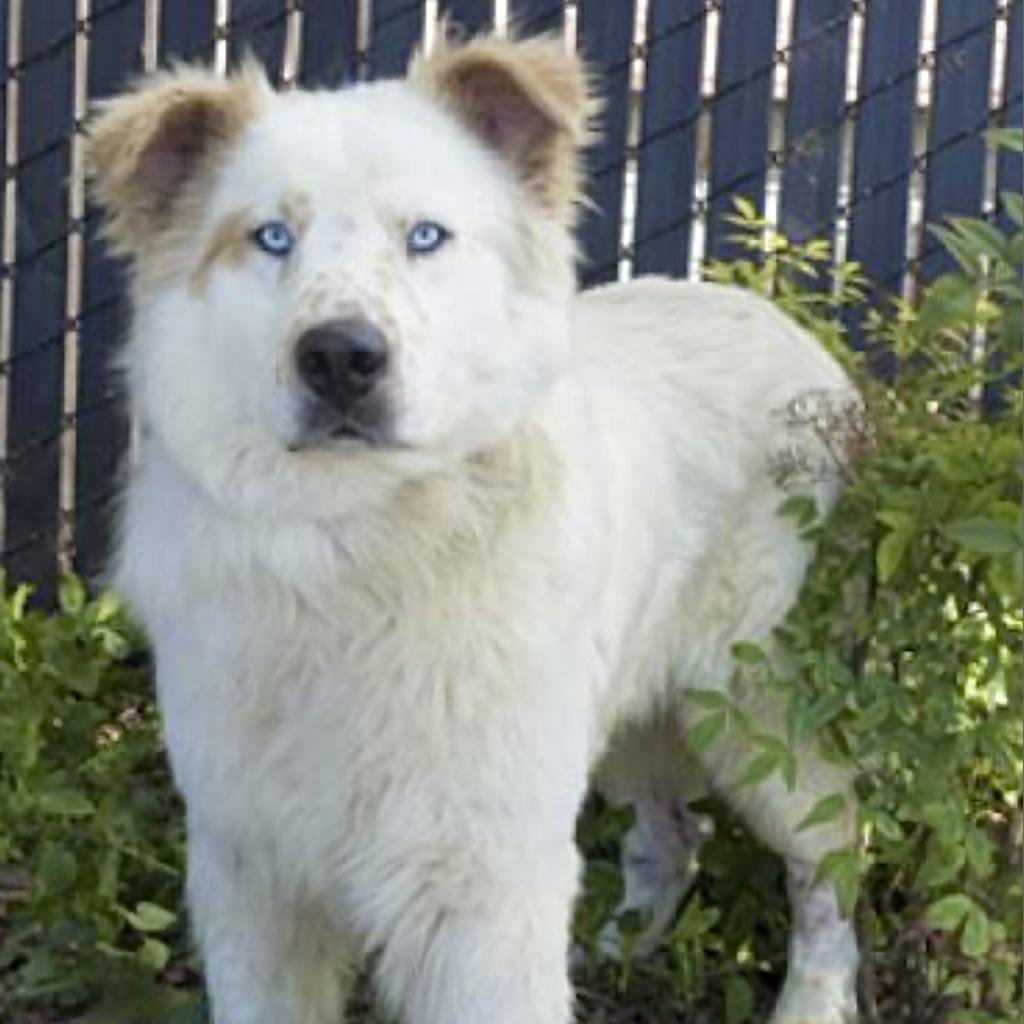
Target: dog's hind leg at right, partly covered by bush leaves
[[821, 985]]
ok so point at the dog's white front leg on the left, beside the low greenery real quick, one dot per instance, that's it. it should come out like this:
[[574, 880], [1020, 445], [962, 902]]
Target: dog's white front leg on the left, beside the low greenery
[[267, 962]]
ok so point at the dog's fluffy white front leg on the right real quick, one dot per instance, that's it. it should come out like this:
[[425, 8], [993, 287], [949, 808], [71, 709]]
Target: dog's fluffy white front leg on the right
[[490, 951]]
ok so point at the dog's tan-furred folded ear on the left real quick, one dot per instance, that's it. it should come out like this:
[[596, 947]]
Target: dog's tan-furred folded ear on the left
[[146, 148]]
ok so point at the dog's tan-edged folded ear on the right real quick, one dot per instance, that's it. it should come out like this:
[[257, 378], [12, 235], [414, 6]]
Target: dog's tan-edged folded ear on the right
[[529, 101]]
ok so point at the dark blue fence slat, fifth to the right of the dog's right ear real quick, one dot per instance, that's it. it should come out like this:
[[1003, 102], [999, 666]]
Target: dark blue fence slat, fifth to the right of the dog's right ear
[[884, 141]]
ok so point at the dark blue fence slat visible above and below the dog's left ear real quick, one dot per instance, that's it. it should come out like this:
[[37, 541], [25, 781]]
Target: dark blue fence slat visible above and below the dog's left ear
[[121, 45]]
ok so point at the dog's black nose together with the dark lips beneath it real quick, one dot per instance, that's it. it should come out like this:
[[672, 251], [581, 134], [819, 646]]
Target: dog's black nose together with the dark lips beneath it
[[343, 366]]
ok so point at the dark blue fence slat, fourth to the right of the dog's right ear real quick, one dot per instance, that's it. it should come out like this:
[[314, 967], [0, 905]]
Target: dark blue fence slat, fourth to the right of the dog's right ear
[[815, 117]]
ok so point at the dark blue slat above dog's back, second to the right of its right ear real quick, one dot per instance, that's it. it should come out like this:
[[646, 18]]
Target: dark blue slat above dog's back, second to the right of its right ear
[[667, 163]]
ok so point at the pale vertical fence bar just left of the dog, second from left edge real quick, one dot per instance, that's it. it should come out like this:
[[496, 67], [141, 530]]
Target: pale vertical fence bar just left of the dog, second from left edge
[[75, 254]]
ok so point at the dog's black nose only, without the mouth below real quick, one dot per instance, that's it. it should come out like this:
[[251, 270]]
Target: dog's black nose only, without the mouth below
[[342, 361]]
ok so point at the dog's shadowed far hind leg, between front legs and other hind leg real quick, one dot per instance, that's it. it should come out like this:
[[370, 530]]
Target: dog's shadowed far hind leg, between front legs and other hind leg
[[647, 769]]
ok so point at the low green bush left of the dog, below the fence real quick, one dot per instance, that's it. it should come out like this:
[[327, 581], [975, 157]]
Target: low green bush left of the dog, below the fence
[[92, 837]]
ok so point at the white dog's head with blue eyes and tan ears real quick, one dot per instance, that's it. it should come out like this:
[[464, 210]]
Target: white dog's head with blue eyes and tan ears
[[342, 285]]
